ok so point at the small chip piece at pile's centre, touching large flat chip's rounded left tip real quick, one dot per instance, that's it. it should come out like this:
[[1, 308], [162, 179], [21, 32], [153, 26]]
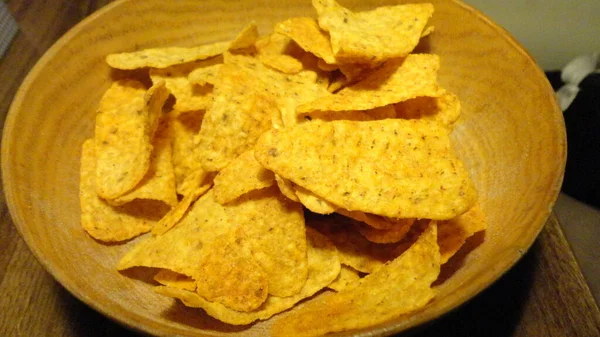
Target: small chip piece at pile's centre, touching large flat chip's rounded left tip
[[242, 175]]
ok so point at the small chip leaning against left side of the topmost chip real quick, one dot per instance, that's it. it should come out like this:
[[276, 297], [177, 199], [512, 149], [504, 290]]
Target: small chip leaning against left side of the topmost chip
[[309, 36]]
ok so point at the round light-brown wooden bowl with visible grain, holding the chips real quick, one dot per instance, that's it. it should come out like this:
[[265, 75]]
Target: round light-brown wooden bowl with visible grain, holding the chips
[[511, 137]]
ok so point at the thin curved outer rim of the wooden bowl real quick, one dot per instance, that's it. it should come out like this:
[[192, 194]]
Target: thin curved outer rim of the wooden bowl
[[143, 327]]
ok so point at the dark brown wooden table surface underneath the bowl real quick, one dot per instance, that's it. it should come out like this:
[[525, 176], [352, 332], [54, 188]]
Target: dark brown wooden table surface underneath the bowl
[[545, 294]]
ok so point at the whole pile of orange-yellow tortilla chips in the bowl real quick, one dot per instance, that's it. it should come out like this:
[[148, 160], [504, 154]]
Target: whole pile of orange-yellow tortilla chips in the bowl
[[270, 168]]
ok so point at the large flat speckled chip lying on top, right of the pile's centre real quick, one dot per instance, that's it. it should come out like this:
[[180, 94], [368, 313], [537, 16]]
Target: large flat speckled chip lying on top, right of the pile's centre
[[394, 168]]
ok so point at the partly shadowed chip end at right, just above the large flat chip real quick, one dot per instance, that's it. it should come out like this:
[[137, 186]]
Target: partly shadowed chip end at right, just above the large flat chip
[[444, 109]]
